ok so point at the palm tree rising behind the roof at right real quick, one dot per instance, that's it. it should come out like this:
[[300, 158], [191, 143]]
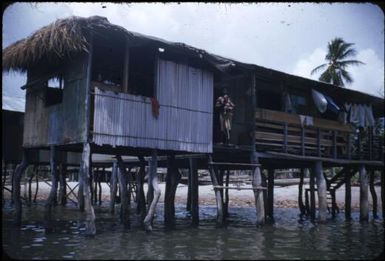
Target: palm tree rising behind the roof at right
[[335, 73]]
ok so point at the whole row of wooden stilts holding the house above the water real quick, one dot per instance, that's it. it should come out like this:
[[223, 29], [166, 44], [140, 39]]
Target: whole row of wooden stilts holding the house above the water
[[264, 208]]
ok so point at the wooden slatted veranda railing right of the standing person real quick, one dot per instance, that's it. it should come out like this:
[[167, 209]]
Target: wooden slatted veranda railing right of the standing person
[[283, 132]]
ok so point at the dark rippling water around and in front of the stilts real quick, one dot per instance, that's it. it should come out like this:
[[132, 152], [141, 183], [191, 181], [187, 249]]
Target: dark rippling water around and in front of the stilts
[[288, 238]]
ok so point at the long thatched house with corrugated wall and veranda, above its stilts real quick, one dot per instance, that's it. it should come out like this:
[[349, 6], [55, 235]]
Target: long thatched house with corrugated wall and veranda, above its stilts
[[94, 83]]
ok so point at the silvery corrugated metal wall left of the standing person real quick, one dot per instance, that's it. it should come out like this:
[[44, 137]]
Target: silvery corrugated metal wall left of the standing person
[[185, 95]]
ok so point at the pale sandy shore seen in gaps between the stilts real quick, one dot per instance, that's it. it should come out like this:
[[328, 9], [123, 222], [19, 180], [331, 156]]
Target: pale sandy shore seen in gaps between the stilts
[[284, 197]]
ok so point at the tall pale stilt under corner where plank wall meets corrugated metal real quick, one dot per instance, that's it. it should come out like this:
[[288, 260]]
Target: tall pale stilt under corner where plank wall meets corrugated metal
[[85, 173]]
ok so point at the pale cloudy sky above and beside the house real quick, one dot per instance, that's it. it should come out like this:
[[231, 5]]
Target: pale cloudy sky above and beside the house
[[288, 37]]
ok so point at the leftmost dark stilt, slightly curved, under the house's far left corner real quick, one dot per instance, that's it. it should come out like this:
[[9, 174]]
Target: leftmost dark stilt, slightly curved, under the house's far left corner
[[16, 187]]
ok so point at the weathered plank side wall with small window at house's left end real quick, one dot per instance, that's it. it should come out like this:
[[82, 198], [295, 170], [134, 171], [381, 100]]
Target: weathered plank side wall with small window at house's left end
[[61, 123]]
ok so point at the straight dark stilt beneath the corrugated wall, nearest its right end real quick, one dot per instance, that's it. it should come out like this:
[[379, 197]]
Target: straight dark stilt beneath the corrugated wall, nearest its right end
[[194, 192]]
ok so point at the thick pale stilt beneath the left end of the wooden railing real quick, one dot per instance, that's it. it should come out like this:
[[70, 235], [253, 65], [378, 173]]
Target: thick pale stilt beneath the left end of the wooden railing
[[258, 194]]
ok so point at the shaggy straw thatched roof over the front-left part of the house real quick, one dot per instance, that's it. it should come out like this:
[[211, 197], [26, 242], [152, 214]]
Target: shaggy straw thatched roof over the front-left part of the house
[[68, 37]]
